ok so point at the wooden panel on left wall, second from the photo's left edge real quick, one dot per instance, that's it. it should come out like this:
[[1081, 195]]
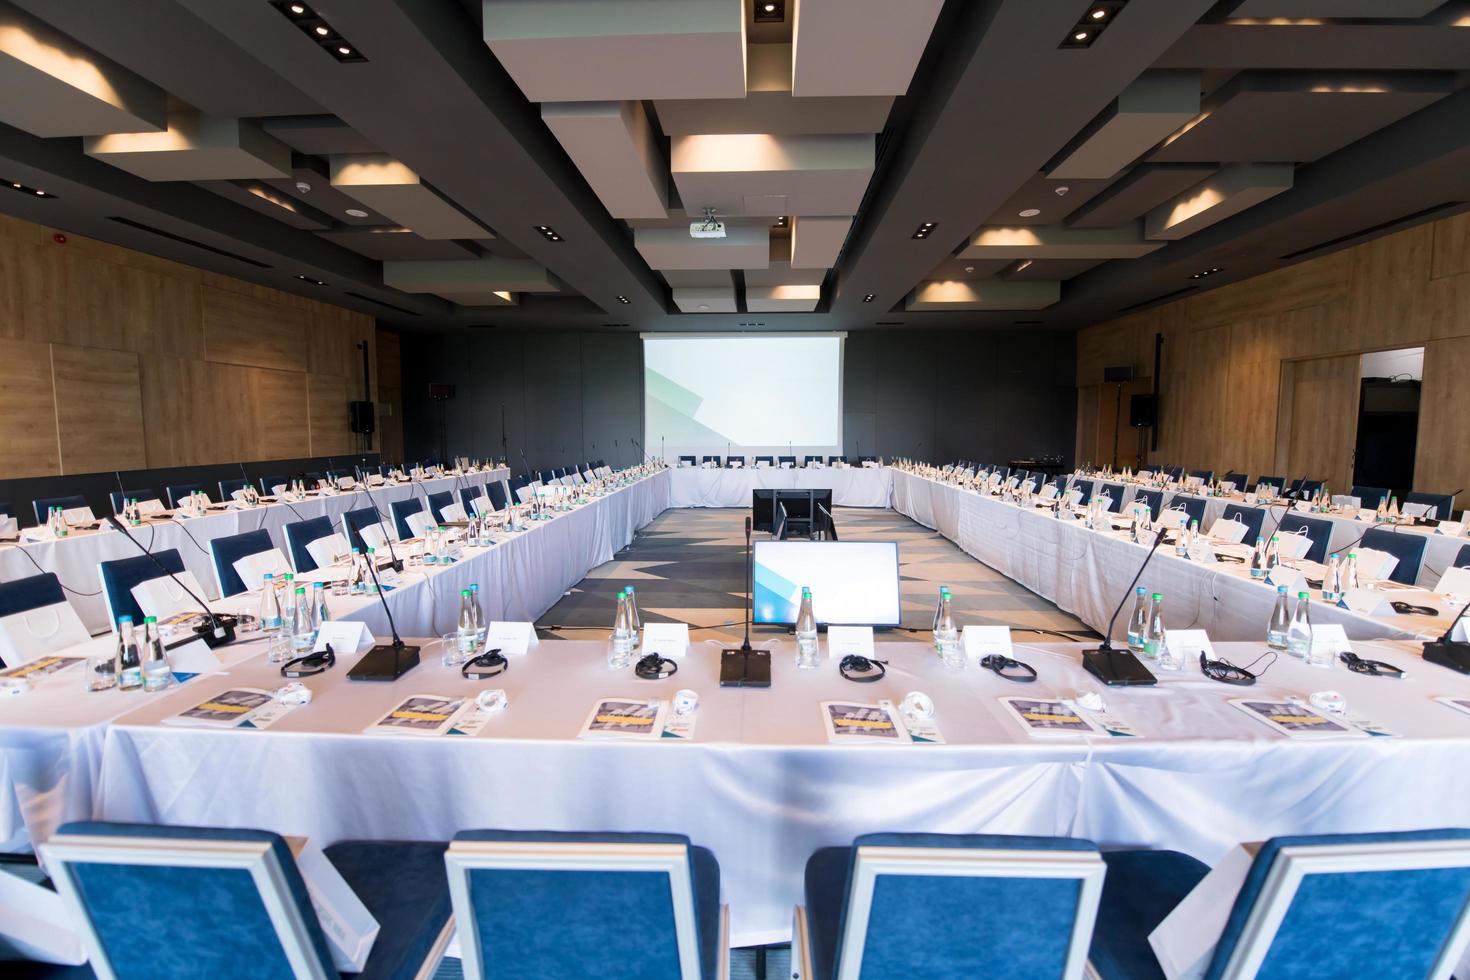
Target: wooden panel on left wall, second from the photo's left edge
[[99, 409]]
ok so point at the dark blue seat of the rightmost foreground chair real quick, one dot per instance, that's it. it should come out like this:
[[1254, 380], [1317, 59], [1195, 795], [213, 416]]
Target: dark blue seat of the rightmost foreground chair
[[1141, 890]]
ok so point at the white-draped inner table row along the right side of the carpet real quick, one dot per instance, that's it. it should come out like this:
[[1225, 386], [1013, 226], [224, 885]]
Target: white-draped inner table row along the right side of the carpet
[[1087, 572]]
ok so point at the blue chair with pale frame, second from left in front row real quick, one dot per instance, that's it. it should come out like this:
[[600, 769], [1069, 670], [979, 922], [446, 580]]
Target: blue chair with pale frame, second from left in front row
[[536, 904]]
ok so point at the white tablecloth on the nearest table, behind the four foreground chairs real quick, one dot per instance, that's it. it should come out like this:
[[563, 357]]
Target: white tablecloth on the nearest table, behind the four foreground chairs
[[764, 788]]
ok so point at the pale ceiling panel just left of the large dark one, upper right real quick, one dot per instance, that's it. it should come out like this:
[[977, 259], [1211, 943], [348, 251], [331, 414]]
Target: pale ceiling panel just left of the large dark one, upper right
[[1144, 114]]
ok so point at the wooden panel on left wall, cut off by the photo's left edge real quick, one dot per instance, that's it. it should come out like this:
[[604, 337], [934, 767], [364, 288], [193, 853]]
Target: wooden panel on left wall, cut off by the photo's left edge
[[27, 411]]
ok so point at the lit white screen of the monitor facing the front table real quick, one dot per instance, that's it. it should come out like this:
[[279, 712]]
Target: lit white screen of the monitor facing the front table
[[853, 583]]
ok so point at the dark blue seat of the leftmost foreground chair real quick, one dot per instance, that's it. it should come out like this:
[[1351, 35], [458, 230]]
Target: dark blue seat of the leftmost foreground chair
[[406, 890]]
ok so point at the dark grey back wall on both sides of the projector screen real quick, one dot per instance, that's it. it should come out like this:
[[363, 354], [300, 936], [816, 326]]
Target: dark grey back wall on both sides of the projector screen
[[940, 396]]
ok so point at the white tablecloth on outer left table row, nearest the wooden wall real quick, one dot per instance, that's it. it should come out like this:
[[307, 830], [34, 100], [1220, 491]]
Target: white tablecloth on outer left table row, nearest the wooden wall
[[76, 558]]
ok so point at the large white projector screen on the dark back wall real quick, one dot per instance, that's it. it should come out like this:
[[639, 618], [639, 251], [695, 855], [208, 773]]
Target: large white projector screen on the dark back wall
[[759, 394]]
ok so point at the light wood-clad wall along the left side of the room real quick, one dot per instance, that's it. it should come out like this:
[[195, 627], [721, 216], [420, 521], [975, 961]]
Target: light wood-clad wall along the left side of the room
[[114, 359]]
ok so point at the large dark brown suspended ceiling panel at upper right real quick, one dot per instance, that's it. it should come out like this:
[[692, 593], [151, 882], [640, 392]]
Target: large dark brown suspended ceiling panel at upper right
[[1299, 117]]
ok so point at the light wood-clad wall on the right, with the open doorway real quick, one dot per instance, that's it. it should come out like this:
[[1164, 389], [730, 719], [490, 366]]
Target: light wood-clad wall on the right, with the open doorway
[[1233, 359]]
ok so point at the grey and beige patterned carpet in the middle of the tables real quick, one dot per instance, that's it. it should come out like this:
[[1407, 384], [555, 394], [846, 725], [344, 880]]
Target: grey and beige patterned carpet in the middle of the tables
[[689, 566]]
